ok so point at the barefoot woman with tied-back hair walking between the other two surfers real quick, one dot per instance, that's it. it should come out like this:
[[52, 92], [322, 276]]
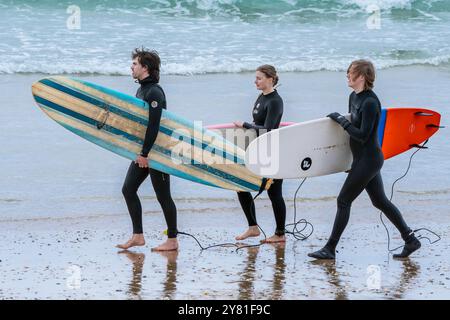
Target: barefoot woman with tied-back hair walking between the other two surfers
[[267, 113]]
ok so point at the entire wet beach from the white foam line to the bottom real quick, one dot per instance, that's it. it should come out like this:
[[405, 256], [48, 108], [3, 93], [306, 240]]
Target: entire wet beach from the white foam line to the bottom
[[62, 212]]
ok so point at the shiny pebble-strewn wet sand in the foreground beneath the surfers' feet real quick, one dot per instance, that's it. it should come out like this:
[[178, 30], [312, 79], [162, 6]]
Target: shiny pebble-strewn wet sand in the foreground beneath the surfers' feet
[[76, 259]]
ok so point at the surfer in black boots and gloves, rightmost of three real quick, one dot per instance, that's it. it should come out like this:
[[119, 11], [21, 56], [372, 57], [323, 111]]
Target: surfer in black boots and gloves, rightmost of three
[[365, 109]]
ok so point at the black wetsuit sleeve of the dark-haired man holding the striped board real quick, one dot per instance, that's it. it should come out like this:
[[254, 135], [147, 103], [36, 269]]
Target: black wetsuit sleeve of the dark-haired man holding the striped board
[[155, 99]]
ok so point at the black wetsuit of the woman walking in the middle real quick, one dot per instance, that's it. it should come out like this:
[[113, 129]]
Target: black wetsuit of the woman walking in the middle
[[267, 113]]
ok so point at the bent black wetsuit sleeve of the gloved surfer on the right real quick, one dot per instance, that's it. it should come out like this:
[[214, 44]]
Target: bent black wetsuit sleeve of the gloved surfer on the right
[[369, 114]]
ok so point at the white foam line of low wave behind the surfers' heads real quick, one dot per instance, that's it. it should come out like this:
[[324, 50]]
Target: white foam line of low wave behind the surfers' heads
[[211, 66]]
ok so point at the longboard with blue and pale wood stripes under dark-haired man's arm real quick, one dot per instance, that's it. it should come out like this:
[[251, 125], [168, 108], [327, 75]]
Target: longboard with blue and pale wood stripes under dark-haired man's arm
[[117, 122]]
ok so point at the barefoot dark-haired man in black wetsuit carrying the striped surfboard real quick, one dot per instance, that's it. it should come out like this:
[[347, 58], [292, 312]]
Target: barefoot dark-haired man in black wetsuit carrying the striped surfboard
[[145, 69]]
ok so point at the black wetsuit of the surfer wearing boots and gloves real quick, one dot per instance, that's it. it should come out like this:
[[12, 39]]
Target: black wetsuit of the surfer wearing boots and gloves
[[365, 109]]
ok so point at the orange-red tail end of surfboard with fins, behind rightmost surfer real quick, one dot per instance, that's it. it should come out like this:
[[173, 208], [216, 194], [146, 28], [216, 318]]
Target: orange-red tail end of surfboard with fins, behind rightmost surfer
[[400, 129]]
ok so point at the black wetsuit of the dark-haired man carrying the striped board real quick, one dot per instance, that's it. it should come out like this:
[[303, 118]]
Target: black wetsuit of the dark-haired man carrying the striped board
[[153, 94]]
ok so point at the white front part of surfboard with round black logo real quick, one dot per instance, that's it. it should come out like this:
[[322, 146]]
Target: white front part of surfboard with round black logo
[[307, 149]]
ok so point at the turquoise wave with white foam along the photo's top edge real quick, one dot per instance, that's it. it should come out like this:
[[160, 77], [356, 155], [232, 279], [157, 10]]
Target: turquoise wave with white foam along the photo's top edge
[[236, 8]]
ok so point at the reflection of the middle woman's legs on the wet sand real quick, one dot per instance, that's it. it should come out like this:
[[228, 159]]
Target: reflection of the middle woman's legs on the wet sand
[[248, 275]]
